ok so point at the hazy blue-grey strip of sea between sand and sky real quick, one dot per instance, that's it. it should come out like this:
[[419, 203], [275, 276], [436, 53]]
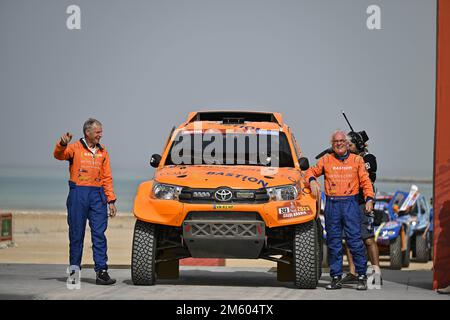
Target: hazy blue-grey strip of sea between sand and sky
[[46, 188]]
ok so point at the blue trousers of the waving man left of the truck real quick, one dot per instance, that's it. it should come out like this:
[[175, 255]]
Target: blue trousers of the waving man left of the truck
[[87, 203]]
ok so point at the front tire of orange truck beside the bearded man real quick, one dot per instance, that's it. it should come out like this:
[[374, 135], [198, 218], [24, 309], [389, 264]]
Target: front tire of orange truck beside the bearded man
[[305, 255]]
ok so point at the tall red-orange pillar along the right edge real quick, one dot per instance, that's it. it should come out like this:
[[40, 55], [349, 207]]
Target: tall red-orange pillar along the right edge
[[441, 260]]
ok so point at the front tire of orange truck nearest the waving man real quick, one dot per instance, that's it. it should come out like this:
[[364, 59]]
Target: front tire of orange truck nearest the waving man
[[143, 254]]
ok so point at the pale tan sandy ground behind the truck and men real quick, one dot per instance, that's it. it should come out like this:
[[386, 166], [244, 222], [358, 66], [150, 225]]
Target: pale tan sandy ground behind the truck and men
[[42, 238]]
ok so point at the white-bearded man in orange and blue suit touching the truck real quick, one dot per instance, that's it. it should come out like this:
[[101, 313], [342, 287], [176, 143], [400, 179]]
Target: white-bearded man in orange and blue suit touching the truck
[[345, 173]]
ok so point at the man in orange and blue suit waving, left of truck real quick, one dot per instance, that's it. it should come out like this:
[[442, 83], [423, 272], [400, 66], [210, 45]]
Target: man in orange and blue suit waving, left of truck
[[91, 188]]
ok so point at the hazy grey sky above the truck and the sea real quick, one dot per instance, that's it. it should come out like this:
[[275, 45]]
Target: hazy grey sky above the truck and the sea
[[141, 66]]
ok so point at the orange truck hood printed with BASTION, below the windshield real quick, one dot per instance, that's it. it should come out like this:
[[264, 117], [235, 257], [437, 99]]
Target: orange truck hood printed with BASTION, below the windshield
[[236, 177]]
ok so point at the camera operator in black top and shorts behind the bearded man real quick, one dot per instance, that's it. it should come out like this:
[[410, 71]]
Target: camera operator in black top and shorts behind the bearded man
[[358, 146]]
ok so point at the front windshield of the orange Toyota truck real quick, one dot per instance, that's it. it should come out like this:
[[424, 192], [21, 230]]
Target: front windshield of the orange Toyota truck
[[265, 148]]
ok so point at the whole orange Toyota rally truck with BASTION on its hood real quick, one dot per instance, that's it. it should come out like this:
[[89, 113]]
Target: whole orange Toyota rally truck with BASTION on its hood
[[229, 184]]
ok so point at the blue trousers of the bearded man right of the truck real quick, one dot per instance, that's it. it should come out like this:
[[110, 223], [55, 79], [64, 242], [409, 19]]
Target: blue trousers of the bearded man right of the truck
[[343, 214]]
